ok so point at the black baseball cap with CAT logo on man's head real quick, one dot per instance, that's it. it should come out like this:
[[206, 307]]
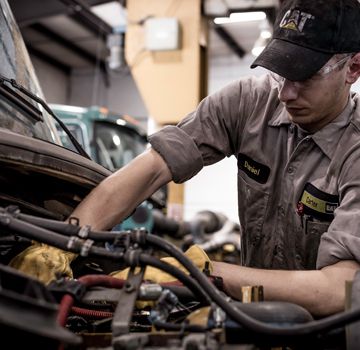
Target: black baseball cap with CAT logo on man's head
[[307, 33]]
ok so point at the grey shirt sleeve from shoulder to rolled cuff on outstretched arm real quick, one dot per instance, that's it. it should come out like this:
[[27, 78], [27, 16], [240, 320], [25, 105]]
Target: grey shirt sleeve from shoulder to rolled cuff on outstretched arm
[[210, 133]]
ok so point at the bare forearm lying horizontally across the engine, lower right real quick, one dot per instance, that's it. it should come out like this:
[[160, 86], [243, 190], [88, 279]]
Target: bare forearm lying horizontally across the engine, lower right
[[322, 292]]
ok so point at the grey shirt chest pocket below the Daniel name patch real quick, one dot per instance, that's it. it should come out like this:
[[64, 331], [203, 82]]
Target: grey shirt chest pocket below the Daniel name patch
[[253, 201]]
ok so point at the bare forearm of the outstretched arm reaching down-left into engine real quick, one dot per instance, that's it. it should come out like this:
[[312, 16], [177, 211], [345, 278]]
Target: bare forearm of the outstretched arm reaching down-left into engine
[[115, 198]]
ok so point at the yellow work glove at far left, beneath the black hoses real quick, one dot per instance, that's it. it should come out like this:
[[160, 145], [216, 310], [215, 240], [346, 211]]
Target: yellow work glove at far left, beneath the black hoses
[[43, 262]]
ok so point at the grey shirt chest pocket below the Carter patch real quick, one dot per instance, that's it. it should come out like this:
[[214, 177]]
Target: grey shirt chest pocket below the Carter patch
[[312, 233]]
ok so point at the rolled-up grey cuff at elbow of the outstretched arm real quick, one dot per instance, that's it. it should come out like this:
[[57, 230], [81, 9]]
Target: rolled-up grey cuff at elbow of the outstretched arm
[[178, 151]]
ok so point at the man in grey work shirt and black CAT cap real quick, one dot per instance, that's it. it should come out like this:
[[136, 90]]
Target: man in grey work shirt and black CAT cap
[[295, 133]]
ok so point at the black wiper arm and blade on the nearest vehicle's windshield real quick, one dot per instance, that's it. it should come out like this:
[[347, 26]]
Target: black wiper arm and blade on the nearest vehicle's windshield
[[32, 110]]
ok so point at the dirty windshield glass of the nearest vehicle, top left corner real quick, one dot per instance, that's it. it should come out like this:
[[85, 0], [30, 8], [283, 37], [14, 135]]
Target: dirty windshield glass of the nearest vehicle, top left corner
[[16, 64]]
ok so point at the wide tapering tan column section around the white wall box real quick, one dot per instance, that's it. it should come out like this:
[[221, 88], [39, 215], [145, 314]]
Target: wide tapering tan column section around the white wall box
[[168, 80]]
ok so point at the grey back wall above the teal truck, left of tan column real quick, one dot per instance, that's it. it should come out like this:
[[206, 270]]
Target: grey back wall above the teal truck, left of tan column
[[87, 87]]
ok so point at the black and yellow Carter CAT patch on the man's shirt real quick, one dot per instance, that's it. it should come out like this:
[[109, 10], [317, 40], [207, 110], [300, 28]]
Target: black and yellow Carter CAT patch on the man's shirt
[[318, 204]]
